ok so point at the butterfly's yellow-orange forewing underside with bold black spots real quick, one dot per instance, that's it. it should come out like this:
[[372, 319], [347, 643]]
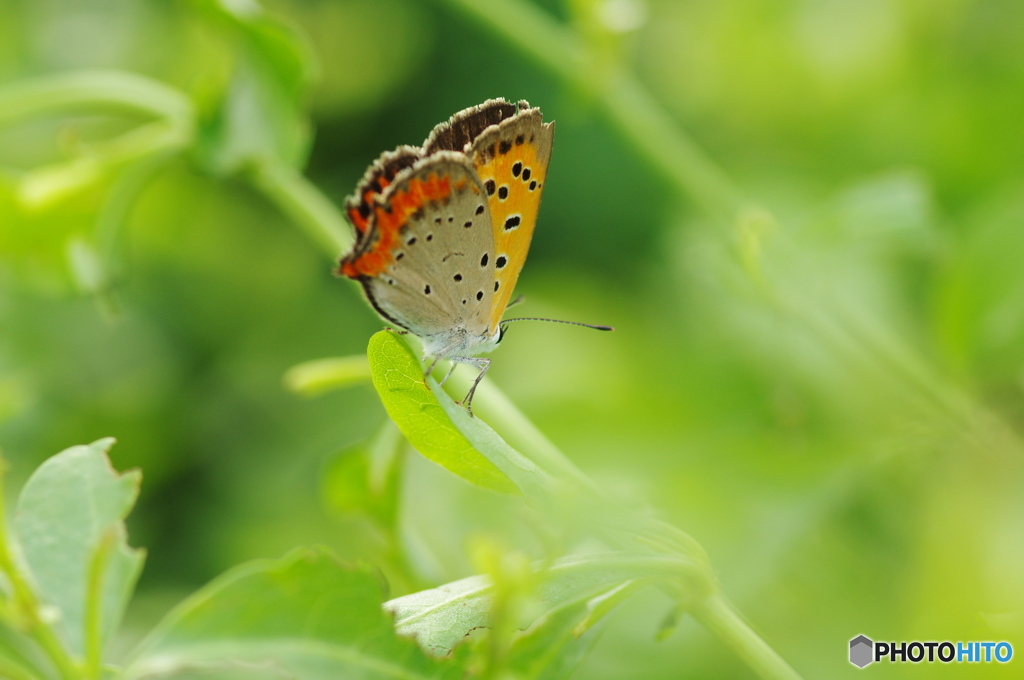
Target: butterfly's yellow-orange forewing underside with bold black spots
[[511, 162]]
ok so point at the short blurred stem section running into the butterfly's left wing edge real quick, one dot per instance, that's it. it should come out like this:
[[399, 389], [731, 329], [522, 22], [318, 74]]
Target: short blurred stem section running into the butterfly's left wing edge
[[303, 202]]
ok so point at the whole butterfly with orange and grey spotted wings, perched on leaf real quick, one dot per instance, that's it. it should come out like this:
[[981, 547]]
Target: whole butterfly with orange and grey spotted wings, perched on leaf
[[443, 231]]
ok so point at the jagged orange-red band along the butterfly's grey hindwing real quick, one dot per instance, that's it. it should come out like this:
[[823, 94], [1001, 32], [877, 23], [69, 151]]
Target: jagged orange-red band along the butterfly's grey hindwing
[[390, 222]]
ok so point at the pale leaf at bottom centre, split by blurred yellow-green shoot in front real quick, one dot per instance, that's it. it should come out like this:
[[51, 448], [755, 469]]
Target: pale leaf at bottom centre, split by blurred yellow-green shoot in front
[[442, 617]]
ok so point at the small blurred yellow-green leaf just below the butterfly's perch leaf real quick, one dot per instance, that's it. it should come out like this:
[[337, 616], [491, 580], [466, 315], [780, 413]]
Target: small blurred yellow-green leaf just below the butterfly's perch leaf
[[364, 478]]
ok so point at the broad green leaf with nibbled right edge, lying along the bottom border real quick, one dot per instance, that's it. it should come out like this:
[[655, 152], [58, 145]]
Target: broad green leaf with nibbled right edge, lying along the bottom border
[[306, 616]]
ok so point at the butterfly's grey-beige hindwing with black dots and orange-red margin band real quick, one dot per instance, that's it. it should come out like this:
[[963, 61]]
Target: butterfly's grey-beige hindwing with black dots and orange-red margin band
[[428, 264]]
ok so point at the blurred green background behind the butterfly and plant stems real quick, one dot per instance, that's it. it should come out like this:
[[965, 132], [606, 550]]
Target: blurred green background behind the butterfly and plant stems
[[827, 393]]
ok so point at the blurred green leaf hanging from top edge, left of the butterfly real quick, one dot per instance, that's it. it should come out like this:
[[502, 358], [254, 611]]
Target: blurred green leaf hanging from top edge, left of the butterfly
[[262, 115]]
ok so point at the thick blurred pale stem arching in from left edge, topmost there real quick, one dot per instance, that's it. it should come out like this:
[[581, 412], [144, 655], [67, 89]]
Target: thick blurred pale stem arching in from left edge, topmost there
[[100, 90]]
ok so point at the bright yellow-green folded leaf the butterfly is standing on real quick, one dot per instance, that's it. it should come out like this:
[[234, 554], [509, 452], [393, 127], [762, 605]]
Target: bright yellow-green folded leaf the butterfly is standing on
[[442, 431]]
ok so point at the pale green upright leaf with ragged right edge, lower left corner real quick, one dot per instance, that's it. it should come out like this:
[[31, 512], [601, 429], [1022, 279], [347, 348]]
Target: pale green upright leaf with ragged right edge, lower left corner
[[69, 524]]
